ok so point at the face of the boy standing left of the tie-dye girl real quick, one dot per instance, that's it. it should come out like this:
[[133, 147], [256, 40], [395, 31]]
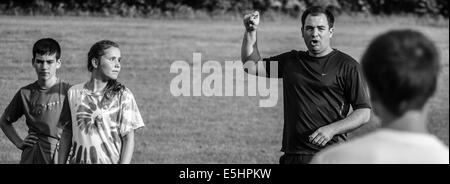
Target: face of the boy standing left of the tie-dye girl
[[46, 65]]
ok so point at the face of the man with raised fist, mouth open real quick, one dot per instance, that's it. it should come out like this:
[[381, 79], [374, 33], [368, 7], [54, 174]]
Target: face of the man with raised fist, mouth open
[[316, 34]]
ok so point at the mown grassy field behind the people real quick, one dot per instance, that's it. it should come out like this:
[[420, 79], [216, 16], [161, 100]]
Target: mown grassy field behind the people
[[190, 129]]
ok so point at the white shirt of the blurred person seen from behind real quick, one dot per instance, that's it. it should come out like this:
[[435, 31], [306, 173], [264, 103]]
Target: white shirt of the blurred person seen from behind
[[386, 146]]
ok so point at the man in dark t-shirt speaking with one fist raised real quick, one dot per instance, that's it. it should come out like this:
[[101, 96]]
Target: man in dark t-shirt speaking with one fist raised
[[320, 86]]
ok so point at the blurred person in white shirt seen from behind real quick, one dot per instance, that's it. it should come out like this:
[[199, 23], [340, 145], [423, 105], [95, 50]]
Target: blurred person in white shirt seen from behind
[[401, 68]]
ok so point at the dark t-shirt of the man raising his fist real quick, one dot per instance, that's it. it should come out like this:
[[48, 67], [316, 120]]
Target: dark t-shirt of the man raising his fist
[[317, 91]]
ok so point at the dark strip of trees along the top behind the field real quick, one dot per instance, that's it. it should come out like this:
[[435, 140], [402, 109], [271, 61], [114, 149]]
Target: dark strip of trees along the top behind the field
[[191, 8]]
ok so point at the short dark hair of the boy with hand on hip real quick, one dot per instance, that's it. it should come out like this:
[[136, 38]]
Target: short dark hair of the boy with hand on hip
[[47, 46]]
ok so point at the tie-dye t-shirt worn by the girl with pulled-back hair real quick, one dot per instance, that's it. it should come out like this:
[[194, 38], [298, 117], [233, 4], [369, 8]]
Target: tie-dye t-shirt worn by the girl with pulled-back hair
[[98, 124]]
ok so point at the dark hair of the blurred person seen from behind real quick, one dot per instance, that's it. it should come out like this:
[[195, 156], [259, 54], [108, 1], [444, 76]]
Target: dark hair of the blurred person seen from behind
[[401, 68]]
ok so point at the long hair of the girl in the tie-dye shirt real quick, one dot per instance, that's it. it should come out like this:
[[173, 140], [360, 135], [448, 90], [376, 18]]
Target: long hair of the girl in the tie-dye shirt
[[113, 87]]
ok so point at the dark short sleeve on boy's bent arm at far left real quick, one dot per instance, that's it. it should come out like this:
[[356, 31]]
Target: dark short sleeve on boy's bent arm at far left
[[15, 109]]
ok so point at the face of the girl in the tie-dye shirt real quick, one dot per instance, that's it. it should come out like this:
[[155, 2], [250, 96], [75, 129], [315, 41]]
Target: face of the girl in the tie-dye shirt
[[109, 64]]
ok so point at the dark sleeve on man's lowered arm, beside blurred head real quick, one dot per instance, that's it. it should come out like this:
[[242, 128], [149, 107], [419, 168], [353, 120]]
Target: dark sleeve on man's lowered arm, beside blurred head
[[356, 89]]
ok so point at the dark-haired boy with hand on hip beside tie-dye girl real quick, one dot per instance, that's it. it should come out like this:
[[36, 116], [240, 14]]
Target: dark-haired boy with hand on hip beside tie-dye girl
[[41, 103]]
